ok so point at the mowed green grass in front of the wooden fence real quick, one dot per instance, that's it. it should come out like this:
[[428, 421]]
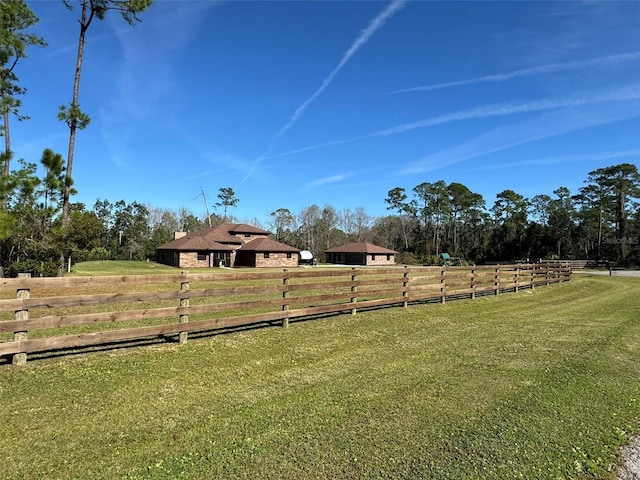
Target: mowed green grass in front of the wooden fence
[[541, 384]]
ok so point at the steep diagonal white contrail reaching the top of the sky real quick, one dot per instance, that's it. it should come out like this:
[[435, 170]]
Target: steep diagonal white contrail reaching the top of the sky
[[360, 41]]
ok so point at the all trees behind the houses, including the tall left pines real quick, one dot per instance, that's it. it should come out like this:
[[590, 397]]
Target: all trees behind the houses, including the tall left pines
[[42, 231]]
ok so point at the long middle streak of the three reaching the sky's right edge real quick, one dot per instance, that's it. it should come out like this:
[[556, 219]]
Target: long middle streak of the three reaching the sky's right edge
[[629, 92]]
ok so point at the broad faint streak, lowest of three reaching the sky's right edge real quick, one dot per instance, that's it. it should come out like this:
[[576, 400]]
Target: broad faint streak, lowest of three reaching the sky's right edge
[[550, 124]]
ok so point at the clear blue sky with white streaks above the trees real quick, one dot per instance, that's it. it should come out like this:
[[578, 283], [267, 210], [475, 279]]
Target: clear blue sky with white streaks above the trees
[[294, 103]]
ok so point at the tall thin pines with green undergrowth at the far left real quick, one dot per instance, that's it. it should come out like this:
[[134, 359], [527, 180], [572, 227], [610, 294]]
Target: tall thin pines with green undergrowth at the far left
[[44, 203]]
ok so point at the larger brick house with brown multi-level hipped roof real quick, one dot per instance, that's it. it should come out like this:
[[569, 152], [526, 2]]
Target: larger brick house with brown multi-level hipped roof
[[226, 245]]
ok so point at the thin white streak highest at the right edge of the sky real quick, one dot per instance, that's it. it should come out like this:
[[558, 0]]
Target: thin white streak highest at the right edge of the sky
[[526, 72]]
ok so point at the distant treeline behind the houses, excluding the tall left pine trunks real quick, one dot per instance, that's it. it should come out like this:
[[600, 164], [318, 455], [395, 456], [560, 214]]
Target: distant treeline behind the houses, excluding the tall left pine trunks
[[600, 221]]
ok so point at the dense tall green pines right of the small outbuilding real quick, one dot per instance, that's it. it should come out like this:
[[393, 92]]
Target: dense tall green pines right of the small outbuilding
[[600, 221]]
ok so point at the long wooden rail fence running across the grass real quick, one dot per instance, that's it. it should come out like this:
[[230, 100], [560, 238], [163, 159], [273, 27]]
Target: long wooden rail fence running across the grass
[[52, 314]]
